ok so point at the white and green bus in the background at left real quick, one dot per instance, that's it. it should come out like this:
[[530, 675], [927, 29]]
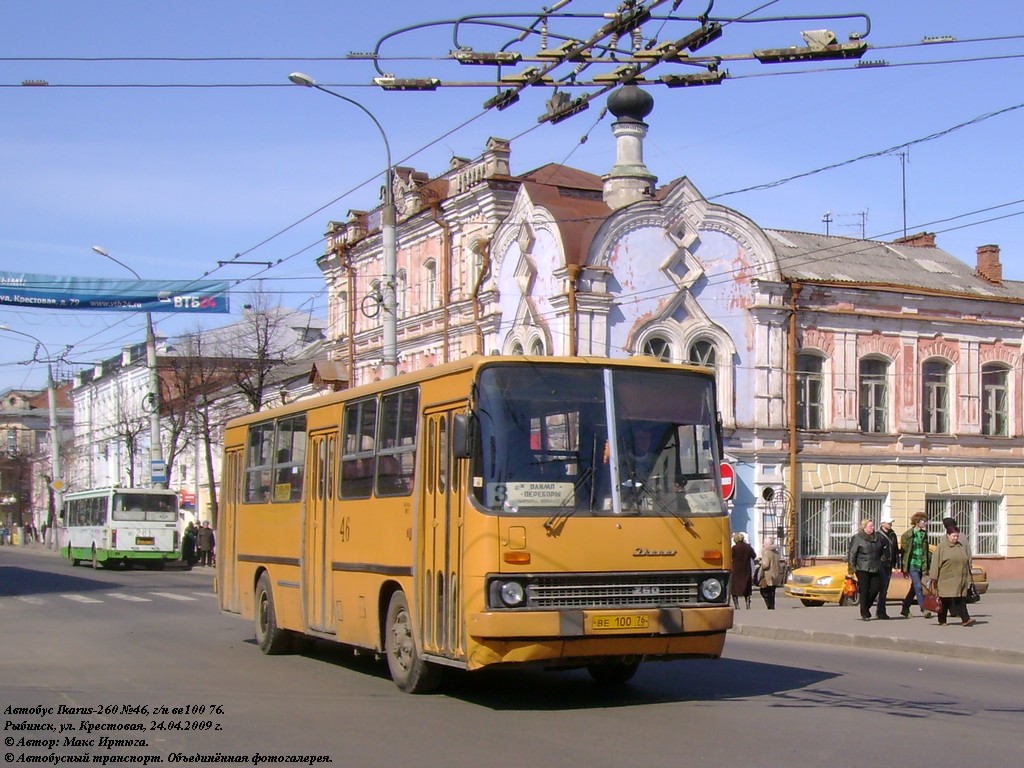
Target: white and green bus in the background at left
[[109, 527]]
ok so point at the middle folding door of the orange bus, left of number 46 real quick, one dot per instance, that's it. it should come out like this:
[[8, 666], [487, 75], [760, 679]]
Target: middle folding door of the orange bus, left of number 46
[[317, 550]]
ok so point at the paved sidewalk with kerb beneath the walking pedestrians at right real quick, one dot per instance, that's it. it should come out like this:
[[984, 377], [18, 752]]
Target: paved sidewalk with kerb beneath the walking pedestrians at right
[[997, 636]]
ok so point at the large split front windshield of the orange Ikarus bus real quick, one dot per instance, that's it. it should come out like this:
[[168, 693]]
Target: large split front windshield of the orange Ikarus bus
[[596, 442]]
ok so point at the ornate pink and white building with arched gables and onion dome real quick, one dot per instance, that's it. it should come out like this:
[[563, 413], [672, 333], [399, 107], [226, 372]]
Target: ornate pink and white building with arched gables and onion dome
[[857, 378]]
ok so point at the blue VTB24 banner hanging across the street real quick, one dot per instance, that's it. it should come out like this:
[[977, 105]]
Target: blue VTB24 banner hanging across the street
[[51, 292]]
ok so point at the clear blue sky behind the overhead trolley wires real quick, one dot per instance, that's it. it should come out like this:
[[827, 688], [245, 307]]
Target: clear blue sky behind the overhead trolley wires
[[173, 166]]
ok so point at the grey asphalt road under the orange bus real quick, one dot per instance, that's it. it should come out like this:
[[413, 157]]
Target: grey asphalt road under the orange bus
[[156, 641]]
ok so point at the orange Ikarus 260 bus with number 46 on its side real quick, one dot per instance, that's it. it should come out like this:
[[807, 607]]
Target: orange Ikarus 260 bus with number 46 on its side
[[564, 513]]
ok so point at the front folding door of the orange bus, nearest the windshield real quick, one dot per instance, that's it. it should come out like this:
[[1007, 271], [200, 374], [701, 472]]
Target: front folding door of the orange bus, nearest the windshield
[[442, 533]]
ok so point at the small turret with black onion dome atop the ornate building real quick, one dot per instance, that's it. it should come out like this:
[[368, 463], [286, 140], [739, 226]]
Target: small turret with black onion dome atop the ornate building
[[629, 181]]
